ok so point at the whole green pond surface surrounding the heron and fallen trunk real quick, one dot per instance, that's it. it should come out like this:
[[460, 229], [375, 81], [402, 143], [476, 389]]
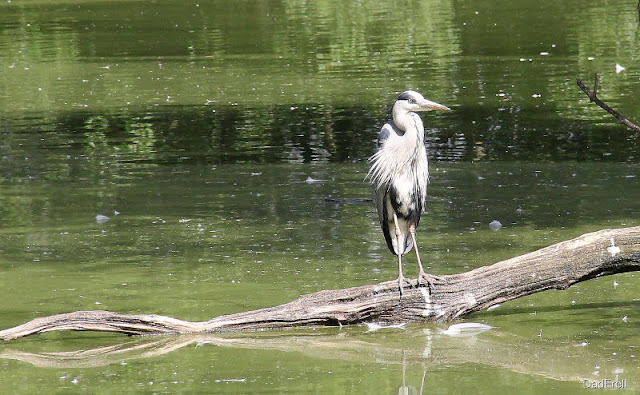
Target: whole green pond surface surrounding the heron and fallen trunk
[[215, 136]]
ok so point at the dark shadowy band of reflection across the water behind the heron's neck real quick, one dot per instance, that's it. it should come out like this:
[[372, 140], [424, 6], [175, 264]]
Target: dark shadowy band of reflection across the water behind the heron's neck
[[302, 134]]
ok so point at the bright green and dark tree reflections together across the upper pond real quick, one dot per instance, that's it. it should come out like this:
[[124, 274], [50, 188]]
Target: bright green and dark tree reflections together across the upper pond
[[292, 82]]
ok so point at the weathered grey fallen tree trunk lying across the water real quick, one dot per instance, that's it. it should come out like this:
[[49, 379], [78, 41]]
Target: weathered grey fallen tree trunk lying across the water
[[559, 266]]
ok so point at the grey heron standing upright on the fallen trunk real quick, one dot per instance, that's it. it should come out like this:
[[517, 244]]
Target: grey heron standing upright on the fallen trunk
[[399, 173]]
